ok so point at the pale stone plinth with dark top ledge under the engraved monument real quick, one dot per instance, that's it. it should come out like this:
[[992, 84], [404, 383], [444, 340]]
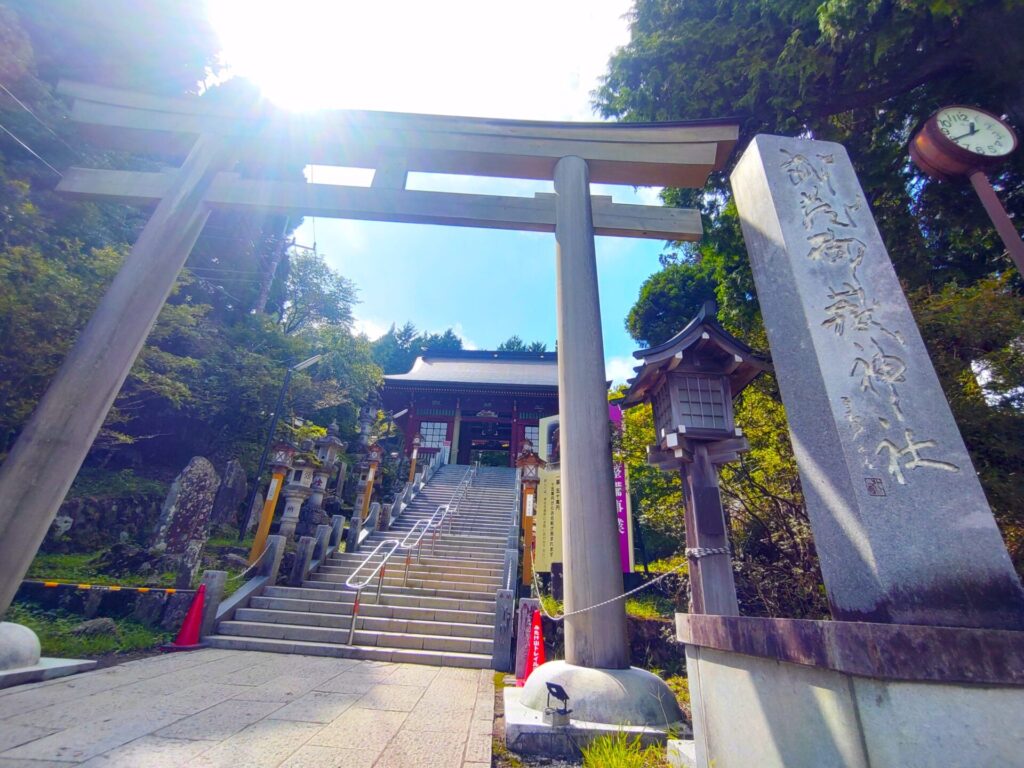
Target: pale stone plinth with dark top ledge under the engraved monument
[[788, 694]]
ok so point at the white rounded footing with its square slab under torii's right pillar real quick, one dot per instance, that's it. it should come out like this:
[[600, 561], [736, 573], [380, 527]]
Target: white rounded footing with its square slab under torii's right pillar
[[603, 702]]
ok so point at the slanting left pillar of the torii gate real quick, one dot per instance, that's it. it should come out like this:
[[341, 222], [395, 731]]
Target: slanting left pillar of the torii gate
[[69, 416]]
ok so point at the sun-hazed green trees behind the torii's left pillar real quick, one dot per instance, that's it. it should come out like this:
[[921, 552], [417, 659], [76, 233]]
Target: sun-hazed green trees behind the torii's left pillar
[[247, 307]]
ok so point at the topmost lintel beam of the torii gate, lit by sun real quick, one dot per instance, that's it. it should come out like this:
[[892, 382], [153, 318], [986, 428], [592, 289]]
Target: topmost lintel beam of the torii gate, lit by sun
[[677, 154]]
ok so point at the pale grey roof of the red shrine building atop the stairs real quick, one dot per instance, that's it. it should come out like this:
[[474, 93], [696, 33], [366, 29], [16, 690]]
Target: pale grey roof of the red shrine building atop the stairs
[[482, 368]]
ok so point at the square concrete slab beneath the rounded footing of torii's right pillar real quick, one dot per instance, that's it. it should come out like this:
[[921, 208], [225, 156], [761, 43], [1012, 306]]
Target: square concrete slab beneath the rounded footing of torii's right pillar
[[526, 733]]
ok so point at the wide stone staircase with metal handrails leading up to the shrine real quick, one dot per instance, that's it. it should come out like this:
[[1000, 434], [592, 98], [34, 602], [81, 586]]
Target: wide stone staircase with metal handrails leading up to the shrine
[[445, 613]]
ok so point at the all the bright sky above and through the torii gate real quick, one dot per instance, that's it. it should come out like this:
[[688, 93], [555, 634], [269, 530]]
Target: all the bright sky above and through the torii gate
[[533, 60]]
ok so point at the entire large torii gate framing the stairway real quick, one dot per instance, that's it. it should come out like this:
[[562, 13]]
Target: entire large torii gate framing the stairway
[[210, 141]]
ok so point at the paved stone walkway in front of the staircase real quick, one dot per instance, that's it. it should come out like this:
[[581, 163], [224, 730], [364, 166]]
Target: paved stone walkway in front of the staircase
[[243, 709]]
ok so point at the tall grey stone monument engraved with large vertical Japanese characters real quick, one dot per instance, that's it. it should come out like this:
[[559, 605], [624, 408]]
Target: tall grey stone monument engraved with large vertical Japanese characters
[[901, 522]]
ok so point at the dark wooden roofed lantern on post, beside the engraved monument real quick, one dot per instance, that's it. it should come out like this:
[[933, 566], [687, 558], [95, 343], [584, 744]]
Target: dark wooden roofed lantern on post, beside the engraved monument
[[691, 382]]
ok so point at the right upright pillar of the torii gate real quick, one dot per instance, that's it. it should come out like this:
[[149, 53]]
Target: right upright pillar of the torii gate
[[595, 638]]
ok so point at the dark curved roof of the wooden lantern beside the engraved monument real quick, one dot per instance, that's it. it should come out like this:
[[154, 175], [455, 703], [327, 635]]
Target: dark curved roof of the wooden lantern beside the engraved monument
[[703, 347]]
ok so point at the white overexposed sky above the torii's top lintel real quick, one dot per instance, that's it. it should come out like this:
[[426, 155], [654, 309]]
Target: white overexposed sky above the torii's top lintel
[[532, 60]]
